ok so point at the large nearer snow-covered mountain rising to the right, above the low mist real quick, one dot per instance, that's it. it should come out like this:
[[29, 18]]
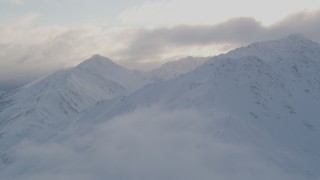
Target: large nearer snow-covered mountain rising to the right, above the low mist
[[265, 96]]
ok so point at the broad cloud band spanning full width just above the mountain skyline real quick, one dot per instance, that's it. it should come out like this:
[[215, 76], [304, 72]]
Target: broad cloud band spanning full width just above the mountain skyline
[[30, 50]]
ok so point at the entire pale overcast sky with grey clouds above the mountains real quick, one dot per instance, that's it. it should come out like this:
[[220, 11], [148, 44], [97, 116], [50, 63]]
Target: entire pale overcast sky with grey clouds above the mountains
[[41, 36]]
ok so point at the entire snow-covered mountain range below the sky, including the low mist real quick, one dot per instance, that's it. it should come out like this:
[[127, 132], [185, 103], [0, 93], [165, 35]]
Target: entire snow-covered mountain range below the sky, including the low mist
[[252, 113]]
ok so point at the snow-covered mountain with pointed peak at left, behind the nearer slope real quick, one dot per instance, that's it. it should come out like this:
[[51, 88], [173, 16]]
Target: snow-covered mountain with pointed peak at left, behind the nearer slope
[[50, 101]]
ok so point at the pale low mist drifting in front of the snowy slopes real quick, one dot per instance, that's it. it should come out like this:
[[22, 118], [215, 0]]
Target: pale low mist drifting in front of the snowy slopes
[[149, 143]]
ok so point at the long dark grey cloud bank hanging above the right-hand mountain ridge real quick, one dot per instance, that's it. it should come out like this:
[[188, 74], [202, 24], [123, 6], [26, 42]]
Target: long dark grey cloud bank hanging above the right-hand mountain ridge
[[238, 31]]
